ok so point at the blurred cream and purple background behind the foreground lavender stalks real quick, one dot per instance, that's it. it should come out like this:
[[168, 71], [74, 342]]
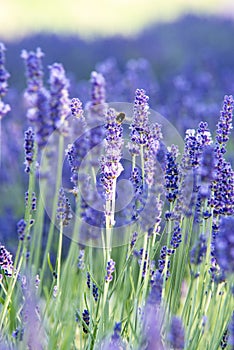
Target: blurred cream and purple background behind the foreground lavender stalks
[[180, 51]]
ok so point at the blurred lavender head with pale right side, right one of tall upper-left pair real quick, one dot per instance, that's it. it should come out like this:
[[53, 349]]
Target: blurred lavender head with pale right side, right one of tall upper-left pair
[[59, 98]]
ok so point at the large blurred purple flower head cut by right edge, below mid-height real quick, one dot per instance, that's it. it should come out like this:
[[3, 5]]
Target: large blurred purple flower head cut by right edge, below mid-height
[[224, 245]]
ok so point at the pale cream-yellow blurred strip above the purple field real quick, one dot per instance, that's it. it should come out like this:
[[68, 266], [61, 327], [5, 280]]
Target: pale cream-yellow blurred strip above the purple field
[[91, 18]]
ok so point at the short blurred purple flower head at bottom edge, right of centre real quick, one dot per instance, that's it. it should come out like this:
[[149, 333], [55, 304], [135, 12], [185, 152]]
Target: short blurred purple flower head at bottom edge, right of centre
[[176, 333]]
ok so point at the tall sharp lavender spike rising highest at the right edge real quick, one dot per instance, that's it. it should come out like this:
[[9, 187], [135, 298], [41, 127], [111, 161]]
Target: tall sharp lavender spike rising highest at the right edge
[[224, 125]]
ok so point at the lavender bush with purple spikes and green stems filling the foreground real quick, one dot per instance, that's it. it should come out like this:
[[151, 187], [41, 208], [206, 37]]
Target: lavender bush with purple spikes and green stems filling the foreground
[[149, 260]]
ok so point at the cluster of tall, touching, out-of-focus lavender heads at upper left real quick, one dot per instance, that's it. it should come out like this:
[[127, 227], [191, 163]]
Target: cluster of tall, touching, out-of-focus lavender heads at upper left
[[47, 110]]
